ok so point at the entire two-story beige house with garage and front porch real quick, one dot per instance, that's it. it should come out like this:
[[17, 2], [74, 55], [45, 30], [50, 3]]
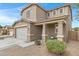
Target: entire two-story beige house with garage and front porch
[[37, 23]]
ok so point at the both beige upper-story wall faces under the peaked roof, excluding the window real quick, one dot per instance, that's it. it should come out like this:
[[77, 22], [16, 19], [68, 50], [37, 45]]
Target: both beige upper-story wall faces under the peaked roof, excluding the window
[[37, 14]]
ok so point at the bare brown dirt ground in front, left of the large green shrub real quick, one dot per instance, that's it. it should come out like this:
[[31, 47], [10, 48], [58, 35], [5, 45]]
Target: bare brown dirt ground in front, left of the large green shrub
[[28, 51]]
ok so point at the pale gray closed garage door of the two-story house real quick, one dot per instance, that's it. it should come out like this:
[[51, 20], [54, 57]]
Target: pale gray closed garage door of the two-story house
[[21, 33]]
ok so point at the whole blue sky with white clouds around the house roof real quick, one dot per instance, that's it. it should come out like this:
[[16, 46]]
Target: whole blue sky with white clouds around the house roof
[[10, 12]]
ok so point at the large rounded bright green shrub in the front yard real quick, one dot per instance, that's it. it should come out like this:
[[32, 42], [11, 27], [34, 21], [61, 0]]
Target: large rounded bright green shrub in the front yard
[[56, 46]]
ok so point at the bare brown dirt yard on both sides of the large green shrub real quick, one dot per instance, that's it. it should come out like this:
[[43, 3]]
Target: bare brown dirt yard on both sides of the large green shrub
[[72, 50]]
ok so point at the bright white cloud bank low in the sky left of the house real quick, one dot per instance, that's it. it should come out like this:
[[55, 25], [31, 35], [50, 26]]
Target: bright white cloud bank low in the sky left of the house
[[7, 19]]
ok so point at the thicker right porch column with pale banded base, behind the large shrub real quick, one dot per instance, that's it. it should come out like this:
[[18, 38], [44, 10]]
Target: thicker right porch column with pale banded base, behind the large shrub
[[60, 31]]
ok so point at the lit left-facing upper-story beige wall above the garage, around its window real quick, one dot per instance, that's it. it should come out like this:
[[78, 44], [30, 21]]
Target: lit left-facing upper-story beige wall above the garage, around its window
[[32, 13]]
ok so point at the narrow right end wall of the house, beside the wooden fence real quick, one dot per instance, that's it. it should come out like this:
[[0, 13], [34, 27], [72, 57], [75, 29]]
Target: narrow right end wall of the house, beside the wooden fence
[[68, 22]]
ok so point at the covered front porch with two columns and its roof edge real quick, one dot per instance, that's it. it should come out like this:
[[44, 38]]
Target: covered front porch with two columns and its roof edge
[[55, 29]]
